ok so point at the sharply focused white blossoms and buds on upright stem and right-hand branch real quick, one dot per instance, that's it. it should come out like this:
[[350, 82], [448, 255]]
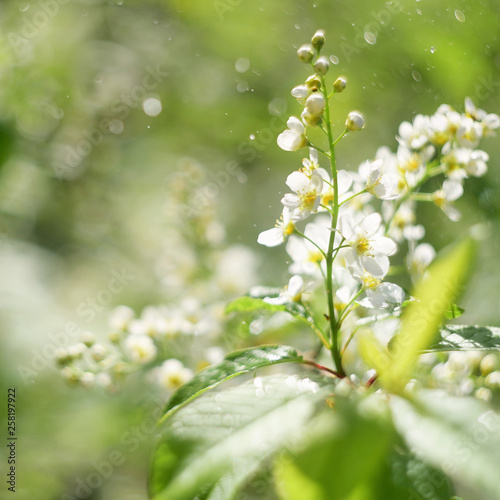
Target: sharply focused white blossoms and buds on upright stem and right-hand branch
[[353, 235]]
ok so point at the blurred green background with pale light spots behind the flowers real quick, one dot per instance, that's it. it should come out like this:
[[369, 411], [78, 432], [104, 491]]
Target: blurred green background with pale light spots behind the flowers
[[86, 158]]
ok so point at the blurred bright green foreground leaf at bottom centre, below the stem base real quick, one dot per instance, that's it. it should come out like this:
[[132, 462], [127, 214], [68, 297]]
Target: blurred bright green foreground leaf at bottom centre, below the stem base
[[345, 460]]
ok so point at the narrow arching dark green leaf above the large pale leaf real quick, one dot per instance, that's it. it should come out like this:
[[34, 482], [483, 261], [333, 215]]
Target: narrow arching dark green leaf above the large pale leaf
[[235, 363]]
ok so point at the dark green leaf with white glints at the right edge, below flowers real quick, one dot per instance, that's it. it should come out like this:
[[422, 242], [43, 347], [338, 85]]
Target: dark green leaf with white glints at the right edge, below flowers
[[468, 338]]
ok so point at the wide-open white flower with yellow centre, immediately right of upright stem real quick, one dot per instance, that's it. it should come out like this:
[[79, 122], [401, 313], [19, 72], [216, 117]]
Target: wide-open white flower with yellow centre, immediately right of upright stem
[[367, 244]]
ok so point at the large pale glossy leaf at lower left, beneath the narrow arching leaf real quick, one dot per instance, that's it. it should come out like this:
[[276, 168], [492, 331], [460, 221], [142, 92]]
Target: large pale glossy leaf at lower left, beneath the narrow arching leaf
[[212, 446]]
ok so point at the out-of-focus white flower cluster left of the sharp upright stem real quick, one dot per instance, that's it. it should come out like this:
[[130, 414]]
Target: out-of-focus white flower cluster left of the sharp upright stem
[[160, 340]]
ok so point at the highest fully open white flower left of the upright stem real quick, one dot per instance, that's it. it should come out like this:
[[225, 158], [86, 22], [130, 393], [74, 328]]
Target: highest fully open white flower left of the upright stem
[[306, 195]]
